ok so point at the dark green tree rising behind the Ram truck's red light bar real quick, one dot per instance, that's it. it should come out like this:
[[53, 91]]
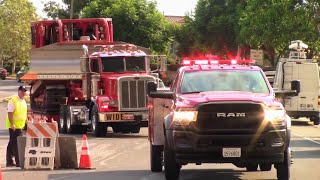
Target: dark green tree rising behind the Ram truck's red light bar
[[213, 28]]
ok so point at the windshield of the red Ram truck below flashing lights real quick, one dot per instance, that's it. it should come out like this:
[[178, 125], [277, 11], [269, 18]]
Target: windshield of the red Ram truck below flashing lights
[[235, 80]]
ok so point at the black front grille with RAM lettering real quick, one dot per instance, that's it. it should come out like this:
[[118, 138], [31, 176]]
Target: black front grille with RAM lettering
[[207, 116]]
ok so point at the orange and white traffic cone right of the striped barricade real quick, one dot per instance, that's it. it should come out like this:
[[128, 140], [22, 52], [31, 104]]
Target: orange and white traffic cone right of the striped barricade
[[85, 160]]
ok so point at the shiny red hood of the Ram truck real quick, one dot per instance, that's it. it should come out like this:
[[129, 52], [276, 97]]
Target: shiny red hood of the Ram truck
[[191, 100]]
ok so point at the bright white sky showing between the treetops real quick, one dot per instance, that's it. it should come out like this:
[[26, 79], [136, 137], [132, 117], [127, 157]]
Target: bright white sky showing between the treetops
[[167, 7]]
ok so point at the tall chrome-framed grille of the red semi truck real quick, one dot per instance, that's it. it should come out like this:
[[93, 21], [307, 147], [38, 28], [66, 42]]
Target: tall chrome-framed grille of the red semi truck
[[133, 94]]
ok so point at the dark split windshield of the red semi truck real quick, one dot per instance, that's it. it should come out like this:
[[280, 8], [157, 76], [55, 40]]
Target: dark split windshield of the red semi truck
[[123, 64]]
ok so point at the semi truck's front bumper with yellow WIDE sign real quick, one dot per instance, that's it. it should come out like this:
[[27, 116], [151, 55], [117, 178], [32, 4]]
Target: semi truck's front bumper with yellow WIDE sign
[[118, 117]]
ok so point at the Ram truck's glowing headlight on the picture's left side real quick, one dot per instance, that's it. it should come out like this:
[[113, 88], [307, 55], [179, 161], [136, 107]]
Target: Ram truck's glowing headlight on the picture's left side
[[184, 117]]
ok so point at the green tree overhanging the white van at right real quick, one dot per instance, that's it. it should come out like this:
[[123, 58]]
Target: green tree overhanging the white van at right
[[271, 25]]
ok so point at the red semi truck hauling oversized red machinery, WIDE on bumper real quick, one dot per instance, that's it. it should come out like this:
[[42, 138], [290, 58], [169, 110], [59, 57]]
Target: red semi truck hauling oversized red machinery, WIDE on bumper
[[104, 88]]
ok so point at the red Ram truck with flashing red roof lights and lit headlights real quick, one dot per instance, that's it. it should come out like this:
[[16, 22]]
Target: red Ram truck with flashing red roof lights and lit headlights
[[218, 111]]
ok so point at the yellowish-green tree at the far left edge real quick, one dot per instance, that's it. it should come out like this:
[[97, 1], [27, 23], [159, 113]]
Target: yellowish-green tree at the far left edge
[[15, 19]]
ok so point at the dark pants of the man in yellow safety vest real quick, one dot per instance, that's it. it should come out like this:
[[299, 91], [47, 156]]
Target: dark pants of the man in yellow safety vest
[[12, 148]]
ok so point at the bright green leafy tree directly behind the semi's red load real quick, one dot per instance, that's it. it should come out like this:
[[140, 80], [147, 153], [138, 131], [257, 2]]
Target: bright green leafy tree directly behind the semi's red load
[[135, 21]]
